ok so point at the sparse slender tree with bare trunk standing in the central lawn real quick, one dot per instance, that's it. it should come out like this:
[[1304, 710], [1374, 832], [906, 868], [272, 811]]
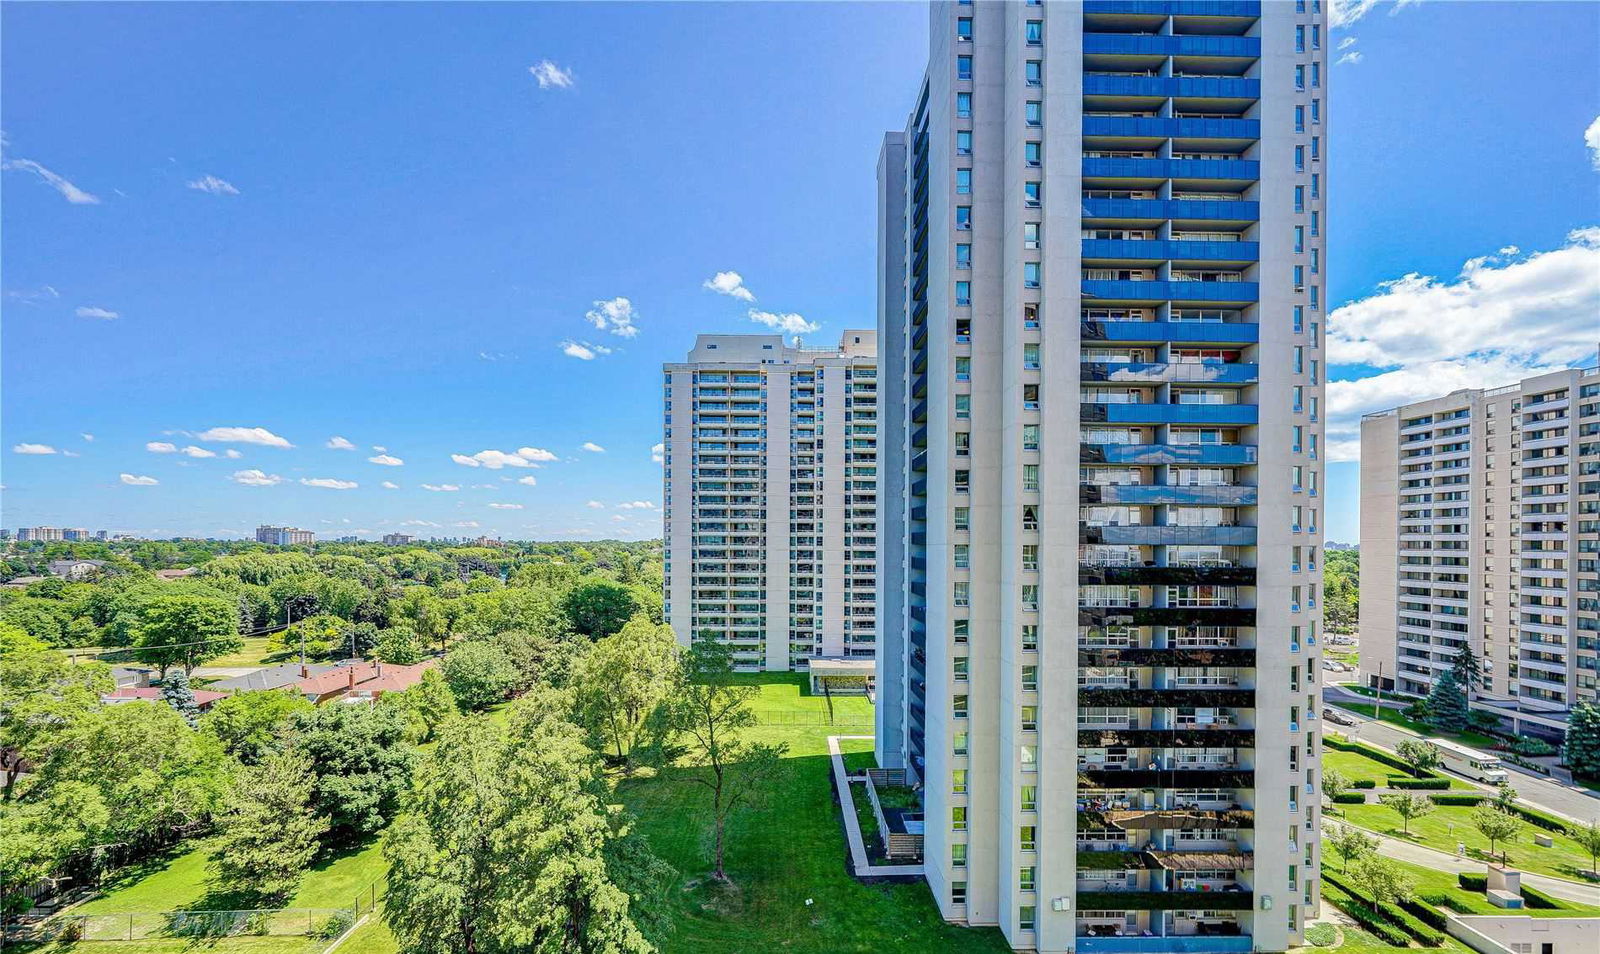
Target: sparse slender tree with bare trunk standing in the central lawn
[[714, 711]]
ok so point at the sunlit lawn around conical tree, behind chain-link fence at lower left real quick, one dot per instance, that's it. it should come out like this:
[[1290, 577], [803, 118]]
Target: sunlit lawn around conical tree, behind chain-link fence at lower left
[[183, 883]]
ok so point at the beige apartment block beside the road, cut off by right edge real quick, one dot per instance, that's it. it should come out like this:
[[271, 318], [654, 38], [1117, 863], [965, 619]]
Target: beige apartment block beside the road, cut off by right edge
[[1481, 527]]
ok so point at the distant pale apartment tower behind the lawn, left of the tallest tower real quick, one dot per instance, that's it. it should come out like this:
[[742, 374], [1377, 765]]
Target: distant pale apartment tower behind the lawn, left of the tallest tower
[[772, 476]]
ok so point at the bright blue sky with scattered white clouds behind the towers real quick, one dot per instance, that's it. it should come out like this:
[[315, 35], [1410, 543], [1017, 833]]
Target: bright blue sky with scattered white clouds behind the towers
[[375, 223]]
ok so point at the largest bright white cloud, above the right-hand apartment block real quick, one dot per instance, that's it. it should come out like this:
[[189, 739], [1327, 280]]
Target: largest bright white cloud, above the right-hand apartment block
[[1537, 310]]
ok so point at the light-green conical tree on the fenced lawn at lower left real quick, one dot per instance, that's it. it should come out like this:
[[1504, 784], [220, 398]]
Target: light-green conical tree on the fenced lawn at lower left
[[270, 833]]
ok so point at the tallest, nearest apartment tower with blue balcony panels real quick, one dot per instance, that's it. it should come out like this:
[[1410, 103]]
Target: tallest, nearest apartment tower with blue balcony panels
[[1102, 297]]
